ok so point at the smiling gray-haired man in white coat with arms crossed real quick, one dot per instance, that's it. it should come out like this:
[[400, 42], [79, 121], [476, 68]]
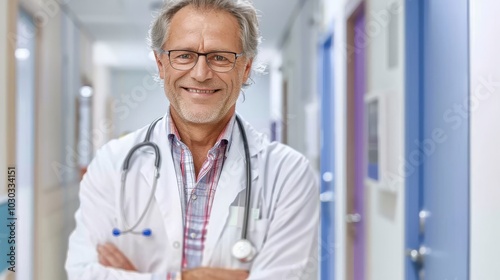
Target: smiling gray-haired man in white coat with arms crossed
[[201, 194]]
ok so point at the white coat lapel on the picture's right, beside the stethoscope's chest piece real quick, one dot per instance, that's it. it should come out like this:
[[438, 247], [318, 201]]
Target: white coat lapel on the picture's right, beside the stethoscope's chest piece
[[232, 181]]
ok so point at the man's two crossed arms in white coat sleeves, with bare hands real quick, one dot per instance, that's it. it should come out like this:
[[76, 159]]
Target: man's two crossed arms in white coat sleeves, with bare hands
[[290, 249]]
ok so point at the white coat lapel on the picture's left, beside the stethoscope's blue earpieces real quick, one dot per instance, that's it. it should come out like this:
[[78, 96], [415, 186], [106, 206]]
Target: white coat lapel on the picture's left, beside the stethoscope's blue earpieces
[[167, 192]]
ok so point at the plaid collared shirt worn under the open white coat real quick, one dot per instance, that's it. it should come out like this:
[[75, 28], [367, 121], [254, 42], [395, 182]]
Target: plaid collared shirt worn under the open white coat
[[198, 194]]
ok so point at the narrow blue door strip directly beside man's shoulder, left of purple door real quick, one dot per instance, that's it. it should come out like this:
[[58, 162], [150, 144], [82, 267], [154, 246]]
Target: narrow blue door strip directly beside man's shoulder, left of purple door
[[327, 161]]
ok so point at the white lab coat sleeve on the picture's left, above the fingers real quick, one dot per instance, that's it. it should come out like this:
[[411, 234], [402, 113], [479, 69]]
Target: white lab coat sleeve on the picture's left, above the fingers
[[94, 221]]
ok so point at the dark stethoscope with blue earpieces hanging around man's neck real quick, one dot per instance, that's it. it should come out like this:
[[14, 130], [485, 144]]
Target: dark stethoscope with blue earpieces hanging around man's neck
[[243, 249]]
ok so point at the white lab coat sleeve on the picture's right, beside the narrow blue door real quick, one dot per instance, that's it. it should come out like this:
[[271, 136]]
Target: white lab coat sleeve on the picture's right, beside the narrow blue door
[[290, 250]]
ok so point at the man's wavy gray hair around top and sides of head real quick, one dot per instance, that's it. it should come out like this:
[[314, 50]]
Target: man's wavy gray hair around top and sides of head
[[242, 10]]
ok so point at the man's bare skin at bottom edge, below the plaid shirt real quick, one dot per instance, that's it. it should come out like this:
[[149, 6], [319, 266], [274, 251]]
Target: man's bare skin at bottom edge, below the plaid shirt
[[208, 273]]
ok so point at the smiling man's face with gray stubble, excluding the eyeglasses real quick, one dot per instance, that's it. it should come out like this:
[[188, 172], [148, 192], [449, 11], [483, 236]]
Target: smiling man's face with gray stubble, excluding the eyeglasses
[[201, 95]]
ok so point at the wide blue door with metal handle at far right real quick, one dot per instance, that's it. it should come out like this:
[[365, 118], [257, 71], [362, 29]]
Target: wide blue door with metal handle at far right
[[437, 139]]
